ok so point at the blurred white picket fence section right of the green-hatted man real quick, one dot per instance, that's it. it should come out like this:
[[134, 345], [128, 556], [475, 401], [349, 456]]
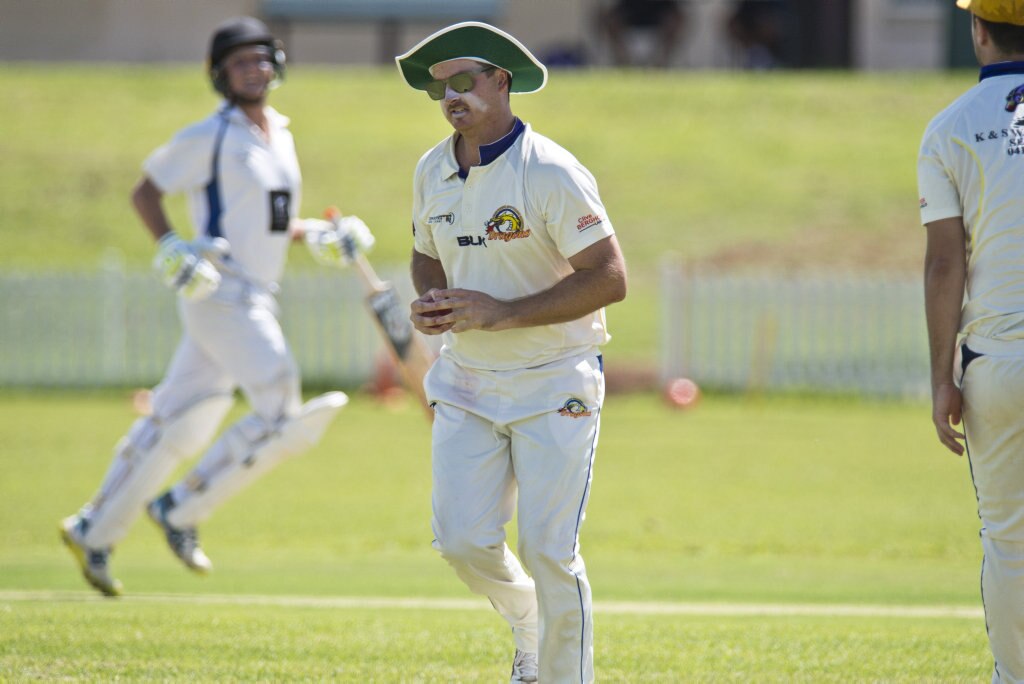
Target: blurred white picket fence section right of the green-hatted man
[[856, 334]]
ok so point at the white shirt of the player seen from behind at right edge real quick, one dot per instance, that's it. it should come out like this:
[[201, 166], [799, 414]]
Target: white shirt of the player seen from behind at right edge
[[972, 165]]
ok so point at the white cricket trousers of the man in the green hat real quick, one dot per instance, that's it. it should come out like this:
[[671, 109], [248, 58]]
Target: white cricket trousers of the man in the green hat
[[527, 437]]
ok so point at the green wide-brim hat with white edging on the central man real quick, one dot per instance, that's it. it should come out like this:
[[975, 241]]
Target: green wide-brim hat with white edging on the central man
[[478, 41]]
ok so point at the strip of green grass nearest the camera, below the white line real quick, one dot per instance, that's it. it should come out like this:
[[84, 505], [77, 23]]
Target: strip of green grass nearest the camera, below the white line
[[164, 642]]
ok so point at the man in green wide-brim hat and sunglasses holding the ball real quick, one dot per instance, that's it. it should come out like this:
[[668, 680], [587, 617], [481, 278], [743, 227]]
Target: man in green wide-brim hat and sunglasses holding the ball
[[516, 259]]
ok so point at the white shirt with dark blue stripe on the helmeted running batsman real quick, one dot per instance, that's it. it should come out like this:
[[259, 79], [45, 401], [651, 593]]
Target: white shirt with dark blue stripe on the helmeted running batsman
[[258, 183]]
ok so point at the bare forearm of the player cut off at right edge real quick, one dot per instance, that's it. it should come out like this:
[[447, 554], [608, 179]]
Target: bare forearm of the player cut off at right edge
[[945, 280]]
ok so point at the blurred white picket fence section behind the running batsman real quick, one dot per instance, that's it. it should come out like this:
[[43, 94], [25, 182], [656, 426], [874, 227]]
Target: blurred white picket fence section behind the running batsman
[[120, 329]]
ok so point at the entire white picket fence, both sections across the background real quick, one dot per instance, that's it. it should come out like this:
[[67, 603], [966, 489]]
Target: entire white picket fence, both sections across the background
[[859, 335]]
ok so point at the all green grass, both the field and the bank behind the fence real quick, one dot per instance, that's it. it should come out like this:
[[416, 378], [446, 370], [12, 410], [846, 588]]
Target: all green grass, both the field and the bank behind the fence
[[733, 542]]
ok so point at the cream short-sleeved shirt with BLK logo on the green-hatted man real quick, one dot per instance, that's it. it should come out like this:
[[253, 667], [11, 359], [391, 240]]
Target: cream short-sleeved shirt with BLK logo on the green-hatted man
[[508, 230]]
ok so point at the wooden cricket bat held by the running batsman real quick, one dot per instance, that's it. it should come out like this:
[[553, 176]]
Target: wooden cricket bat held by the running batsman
[[411, 356]]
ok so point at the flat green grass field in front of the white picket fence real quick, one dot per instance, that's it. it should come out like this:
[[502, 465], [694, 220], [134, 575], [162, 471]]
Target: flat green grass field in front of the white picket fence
[[786, 502]]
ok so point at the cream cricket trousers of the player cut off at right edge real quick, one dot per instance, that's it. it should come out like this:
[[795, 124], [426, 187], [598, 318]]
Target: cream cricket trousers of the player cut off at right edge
[[994, 419]]
